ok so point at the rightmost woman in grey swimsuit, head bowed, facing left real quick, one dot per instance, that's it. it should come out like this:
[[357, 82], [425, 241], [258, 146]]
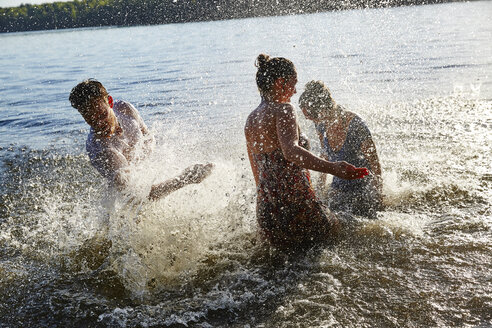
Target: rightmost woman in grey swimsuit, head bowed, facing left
[[344, 137]]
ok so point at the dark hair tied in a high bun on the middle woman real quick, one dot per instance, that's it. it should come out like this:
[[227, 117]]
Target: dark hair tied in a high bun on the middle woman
[[270, 69]]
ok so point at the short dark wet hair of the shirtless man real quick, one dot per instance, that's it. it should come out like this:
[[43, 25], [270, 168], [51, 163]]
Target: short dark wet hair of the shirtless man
[[84, 92]]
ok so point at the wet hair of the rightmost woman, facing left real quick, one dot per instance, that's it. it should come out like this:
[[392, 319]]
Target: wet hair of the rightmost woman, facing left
[[316, 99]]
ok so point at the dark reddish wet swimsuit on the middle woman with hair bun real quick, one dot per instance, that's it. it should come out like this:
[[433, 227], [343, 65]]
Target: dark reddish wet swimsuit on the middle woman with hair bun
[[287, 209]]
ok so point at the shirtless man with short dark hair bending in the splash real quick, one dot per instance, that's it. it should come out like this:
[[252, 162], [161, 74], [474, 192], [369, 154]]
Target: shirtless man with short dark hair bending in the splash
[[119, 137]]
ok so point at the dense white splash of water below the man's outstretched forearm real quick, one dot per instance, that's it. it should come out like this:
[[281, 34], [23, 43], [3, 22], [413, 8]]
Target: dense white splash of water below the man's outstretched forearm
[[163, 243]]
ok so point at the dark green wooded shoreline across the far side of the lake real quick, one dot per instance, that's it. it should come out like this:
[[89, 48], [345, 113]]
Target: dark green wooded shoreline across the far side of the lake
[[82, 14]]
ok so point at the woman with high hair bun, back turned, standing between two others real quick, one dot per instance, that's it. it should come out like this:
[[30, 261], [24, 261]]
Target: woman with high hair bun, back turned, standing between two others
[[288, 212]]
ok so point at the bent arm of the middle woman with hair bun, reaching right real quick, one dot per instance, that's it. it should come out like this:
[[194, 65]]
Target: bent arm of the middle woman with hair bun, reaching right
[[288, 135]]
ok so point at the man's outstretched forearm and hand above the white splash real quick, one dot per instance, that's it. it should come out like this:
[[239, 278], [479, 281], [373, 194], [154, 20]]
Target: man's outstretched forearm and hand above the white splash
[[193, 174]]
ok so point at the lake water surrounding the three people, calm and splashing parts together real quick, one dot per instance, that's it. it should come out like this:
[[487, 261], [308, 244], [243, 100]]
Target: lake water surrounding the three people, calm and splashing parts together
[[420, 76]]
